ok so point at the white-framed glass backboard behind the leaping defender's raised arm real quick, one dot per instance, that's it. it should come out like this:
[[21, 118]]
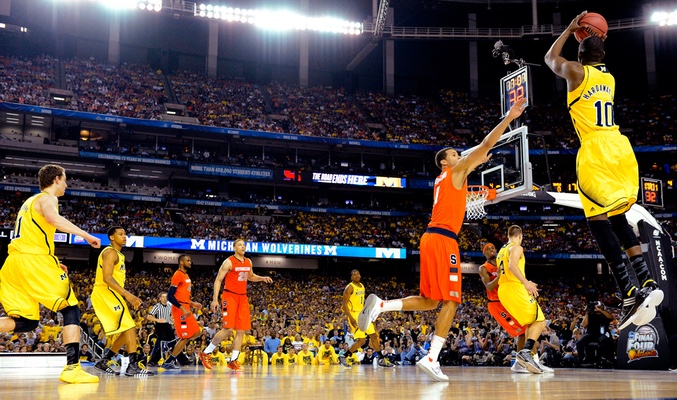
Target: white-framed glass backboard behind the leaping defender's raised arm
[[509, 170]]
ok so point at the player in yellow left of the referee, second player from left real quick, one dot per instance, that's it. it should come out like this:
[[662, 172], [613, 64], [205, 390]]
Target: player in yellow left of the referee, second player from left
[[109, 300]]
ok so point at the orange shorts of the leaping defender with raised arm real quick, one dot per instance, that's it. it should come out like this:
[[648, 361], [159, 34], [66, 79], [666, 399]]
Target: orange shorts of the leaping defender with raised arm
[[440, 268]]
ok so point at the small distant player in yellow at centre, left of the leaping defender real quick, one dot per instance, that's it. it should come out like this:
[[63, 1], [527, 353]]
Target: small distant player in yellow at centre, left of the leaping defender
[[353, 303]]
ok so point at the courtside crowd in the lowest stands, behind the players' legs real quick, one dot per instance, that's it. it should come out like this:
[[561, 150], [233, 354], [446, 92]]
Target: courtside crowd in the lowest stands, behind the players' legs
[[304, 310]]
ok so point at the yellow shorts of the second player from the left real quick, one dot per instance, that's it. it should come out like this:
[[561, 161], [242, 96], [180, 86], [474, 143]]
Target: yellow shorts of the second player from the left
[[112, 310]]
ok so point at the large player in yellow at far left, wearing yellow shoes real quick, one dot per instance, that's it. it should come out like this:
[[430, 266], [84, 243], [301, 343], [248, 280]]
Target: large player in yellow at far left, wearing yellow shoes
[[32, 274]]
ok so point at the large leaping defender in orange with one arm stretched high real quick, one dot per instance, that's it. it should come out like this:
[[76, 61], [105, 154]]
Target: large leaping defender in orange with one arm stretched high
[[440, 280]]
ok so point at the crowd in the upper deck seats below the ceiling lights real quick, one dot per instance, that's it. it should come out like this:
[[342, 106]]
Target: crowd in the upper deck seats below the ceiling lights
[[451, 117]]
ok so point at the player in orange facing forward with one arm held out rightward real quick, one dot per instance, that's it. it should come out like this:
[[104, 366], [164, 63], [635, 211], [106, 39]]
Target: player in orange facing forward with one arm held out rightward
[[237, 271]]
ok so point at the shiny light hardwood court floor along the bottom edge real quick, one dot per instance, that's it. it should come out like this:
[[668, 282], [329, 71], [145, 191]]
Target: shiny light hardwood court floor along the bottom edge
[[333, 382]]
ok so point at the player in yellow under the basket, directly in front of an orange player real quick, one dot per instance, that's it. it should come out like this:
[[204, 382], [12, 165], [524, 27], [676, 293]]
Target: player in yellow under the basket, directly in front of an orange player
[[518, 295]]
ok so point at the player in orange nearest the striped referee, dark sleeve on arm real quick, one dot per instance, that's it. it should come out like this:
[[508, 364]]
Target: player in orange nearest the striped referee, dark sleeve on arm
[[184, 321]]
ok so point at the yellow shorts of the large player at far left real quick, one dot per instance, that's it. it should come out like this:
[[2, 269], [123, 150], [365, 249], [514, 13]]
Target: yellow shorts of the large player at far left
[[28, 280]]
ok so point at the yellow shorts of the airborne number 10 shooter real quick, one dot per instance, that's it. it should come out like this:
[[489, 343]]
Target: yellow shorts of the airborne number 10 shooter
[[608, 175]]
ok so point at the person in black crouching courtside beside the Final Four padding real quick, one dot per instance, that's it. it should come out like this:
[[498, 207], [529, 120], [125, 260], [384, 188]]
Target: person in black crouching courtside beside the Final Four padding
[[596, 322]]
